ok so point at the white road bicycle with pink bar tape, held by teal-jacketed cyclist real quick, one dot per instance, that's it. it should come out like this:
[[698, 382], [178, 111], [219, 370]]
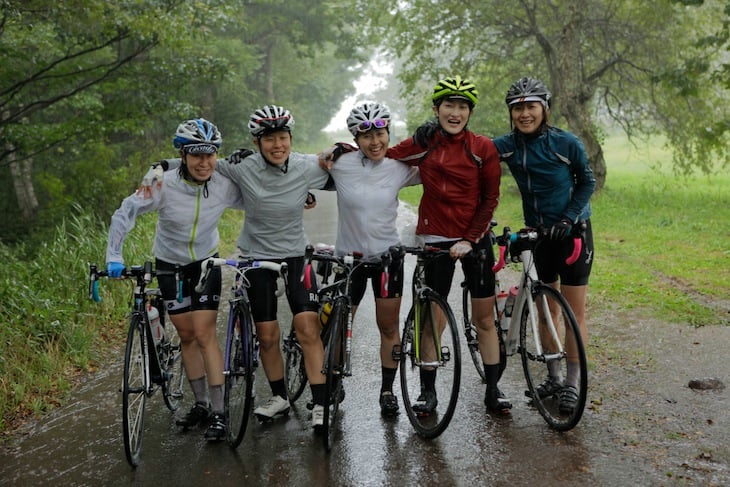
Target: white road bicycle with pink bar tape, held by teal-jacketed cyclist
[[537, 323]]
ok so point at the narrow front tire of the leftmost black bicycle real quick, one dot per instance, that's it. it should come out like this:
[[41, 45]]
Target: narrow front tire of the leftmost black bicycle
[[134, 392]]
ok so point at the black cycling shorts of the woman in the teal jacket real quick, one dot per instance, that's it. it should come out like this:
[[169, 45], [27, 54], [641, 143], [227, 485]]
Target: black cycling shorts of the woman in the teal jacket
[[550, 258]]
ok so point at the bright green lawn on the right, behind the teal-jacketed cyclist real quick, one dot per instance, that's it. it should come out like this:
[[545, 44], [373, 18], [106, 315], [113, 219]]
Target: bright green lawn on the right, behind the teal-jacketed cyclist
[[662, 241]]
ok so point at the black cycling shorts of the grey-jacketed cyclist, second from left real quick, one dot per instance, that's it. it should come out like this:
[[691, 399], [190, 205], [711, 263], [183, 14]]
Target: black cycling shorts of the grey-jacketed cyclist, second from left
[[262, 292]]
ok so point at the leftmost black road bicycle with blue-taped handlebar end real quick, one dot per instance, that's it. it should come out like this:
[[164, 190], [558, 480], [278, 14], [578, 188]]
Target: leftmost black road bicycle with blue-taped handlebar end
[[152, 357]]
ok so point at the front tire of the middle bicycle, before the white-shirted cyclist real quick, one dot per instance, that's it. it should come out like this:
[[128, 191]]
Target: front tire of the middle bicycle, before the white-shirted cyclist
[[334, 354]]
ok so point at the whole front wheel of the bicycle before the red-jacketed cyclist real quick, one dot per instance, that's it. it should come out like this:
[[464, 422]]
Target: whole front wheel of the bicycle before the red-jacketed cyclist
[[430, 365]]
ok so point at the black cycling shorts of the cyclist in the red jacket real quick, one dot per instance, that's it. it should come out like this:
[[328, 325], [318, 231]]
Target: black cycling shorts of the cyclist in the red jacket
[[478, 275]]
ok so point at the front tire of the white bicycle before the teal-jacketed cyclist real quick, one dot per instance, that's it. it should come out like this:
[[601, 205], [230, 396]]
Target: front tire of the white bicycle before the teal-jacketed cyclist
[[534, 363]]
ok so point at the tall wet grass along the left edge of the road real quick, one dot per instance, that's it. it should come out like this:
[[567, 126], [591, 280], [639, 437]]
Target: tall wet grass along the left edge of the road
[[50, 330]]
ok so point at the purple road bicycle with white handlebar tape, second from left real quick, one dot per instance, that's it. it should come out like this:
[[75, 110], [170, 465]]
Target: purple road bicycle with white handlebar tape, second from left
[[241, 353]]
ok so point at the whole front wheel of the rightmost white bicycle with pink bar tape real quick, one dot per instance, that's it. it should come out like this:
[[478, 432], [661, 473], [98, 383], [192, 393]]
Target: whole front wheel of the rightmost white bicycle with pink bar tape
[[542, 350]]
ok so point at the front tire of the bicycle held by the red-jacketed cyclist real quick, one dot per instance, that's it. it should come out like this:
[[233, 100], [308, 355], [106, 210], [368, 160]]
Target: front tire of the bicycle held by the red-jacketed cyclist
[[448, 376]]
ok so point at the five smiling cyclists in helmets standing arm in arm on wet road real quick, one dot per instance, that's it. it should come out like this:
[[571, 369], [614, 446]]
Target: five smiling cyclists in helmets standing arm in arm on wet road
[[460, 173]]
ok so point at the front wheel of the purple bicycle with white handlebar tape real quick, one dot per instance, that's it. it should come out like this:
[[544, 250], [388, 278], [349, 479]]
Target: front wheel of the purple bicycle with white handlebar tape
[[239, 373]]
